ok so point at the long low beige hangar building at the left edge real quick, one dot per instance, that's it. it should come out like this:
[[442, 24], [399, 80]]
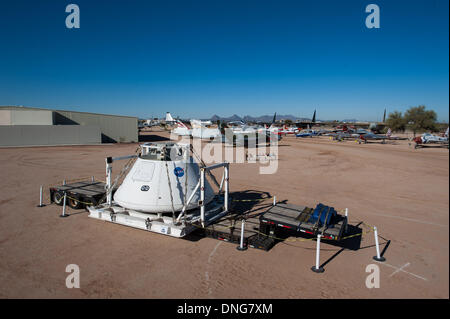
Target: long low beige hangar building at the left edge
[[26, 126]]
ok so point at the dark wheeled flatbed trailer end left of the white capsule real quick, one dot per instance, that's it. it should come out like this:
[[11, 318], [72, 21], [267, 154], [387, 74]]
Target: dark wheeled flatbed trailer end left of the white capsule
[[79, 194]]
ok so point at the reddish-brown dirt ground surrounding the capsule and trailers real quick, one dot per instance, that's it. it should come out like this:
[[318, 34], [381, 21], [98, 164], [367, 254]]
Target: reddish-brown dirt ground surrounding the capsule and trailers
[[402, 191]]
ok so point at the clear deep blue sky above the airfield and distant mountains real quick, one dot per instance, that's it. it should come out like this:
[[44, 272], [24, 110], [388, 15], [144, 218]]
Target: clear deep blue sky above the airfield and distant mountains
[[198, 58]]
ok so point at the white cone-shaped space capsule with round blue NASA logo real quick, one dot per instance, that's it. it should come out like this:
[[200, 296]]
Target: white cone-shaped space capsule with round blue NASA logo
[[158, 179]]
